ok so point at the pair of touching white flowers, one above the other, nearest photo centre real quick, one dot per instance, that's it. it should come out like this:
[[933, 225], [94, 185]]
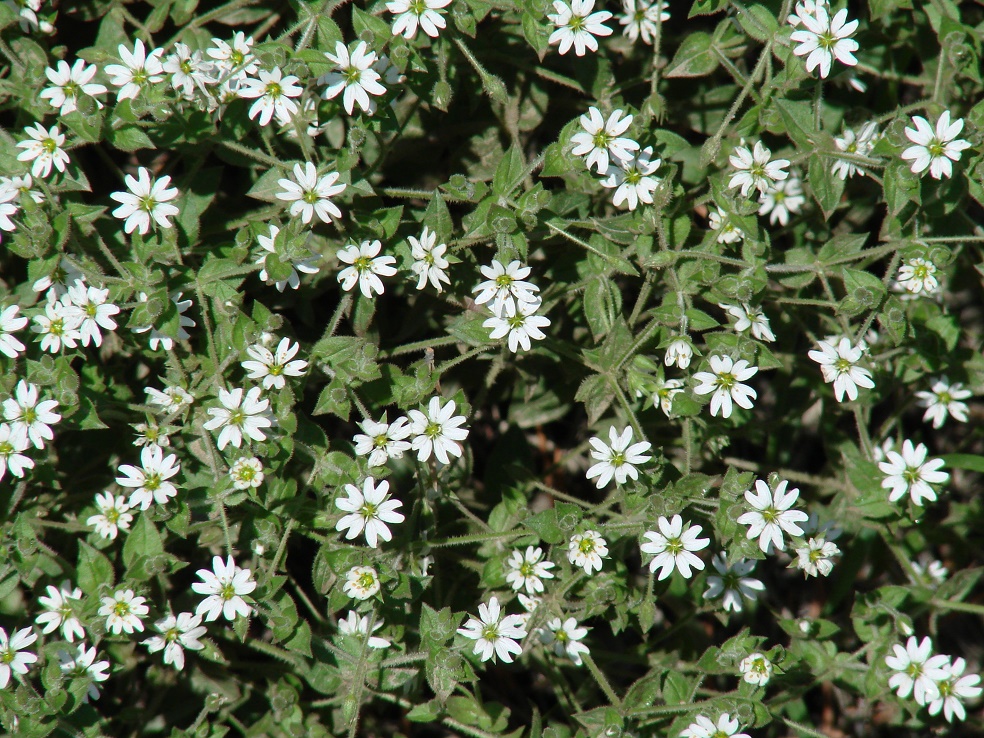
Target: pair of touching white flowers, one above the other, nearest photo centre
[[514, 304]]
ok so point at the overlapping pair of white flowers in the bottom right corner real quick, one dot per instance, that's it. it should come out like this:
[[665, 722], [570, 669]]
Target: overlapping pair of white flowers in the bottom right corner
[[935, 680]]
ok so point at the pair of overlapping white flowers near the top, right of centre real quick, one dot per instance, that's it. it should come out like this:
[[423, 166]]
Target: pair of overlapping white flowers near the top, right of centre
[[626, 169]]
